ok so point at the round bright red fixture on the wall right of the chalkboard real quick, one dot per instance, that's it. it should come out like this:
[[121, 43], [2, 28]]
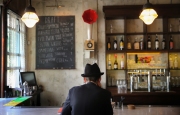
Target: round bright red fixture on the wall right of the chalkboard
[[90, 16]]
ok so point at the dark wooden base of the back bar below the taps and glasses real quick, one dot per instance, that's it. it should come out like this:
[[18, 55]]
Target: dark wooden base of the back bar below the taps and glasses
[[147, 98]]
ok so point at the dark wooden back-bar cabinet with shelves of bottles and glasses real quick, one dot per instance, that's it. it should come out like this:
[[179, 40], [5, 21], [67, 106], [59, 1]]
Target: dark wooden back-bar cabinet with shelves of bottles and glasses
[[135, 58]]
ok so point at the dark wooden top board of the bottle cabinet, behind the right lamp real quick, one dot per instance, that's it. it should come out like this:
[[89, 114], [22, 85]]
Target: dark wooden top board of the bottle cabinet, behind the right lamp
[[133, 11]]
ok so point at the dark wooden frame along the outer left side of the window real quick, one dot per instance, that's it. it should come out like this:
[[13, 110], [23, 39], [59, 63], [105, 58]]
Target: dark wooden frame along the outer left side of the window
[[18, 7]]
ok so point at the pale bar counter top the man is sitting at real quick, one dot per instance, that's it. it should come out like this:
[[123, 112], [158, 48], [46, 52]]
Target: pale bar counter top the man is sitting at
[[49, 110]]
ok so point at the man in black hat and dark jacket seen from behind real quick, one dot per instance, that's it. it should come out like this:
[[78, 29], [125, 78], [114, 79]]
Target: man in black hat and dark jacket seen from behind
[[90, 98]]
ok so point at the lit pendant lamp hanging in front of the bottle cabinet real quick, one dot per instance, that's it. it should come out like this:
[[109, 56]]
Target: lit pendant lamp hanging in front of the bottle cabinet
[[148, 14]]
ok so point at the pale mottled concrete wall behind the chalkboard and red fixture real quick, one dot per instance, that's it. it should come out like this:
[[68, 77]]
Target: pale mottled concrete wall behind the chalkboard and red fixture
[[56, 83]]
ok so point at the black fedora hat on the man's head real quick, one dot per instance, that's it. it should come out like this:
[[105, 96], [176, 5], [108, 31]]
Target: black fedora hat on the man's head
[[92, 71]]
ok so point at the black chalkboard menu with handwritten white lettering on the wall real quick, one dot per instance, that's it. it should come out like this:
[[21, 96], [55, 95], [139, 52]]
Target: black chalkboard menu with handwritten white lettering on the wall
[[55, 42]]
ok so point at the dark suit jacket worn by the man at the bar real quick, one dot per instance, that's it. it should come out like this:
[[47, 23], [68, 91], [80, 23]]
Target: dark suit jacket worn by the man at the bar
[[88, 99]]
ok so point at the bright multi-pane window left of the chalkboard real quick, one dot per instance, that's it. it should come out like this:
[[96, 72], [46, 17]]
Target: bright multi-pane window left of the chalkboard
[[16, 38]]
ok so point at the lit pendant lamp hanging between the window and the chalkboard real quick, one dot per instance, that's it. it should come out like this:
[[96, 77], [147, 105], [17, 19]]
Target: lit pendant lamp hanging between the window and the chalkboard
[[30, 18]]
